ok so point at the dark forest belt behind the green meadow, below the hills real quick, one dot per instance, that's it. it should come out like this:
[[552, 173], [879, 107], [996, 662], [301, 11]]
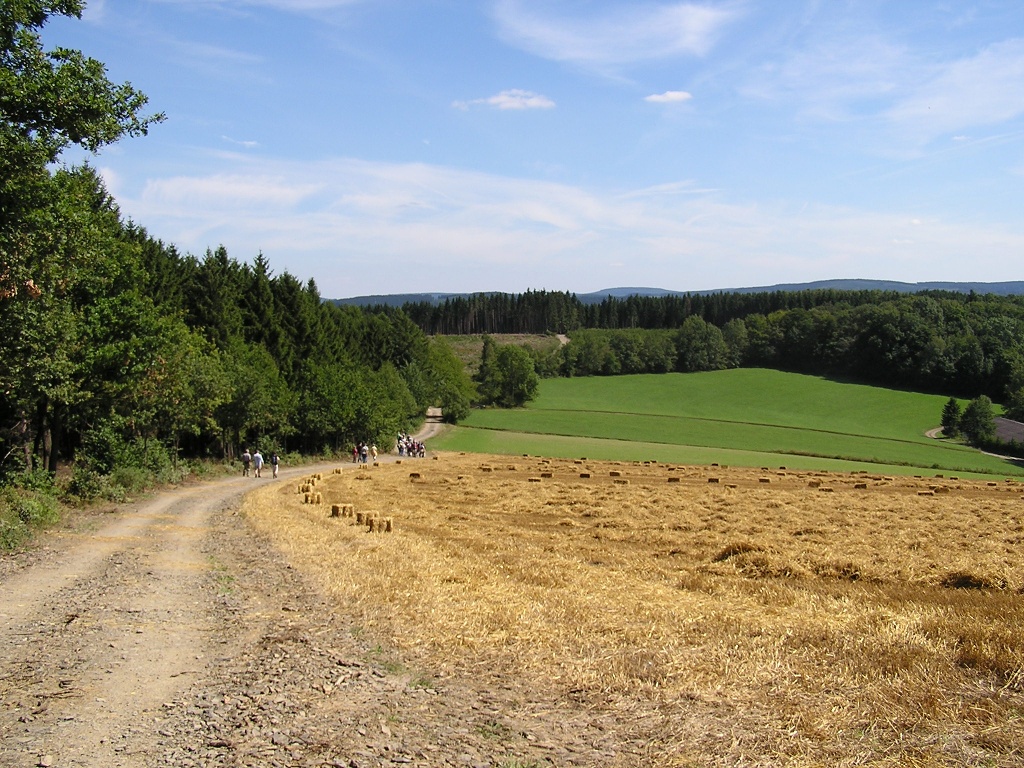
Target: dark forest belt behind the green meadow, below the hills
[[932, 342]]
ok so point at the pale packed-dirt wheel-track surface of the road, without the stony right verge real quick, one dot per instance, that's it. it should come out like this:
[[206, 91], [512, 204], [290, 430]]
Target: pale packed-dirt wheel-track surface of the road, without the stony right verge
[[98, 638]]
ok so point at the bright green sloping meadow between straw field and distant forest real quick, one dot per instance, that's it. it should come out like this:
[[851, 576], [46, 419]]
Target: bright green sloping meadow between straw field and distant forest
[[746, 417]]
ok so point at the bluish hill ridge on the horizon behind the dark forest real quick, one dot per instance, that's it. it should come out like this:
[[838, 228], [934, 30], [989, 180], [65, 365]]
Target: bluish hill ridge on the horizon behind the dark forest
[[1012, 288]]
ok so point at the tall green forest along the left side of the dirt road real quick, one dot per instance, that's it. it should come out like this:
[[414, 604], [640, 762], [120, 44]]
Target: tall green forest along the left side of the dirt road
[[121, 358]]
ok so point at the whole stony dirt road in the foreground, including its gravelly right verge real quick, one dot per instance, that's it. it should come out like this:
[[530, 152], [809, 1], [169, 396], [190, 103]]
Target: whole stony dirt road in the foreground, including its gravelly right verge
[[166, 633]]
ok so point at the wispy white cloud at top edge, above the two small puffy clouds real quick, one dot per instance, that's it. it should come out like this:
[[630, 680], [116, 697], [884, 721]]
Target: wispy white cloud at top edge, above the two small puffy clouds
[[625, 35]]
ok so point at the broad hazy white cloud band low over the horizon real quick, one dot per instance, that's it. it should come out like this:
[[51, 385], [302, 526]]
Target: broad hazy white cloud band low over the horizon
[[362, 228]]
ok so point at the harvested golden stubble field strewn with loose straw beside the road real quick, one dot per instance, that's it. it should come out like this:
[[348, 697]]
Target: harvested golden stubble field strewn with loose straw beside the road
[[737, 623]]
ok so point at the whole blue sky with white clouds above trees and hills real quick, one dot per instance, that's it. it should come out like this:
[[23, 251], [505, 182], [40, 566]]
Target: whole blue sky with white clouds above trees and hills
[[386, 147]]
